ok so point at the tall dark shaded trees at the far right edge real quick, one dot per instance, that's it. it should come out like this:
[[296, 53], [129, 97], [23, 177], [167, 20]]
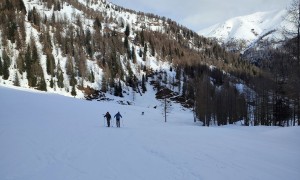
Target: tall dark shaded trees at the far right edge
[[277, 99]]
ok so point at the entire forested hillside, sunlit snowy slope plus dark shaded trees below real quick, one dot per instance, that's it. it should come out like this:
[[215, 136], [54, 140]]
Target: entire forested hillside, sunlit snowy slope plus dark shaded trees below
[[86, 48]]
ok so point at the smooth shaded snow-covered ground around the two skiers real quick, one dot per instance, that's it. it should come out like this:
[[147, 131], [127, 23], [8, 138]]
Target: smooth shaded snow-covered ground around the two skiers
[[48, 136]]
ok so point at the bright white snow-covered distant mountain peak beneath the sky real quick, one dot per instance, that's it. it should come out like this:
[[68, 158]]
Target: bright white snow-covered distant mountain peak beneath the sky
[[250, 27]]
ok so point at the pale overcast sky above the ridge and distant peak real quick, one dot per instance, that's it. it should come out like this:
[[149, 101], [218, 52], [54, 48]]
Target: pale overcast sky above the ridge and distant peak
[[199, 14]]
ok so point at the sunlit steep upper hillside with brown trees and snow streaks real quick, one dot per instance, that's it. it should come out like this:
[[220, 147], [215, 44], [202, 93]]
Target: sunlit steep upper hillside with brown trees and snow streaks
[[74, 47]]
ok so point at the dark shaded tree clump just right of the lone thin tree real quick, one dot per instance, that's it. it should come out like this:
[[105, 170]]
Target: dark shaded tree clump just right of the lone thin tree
[[217, 99]]
